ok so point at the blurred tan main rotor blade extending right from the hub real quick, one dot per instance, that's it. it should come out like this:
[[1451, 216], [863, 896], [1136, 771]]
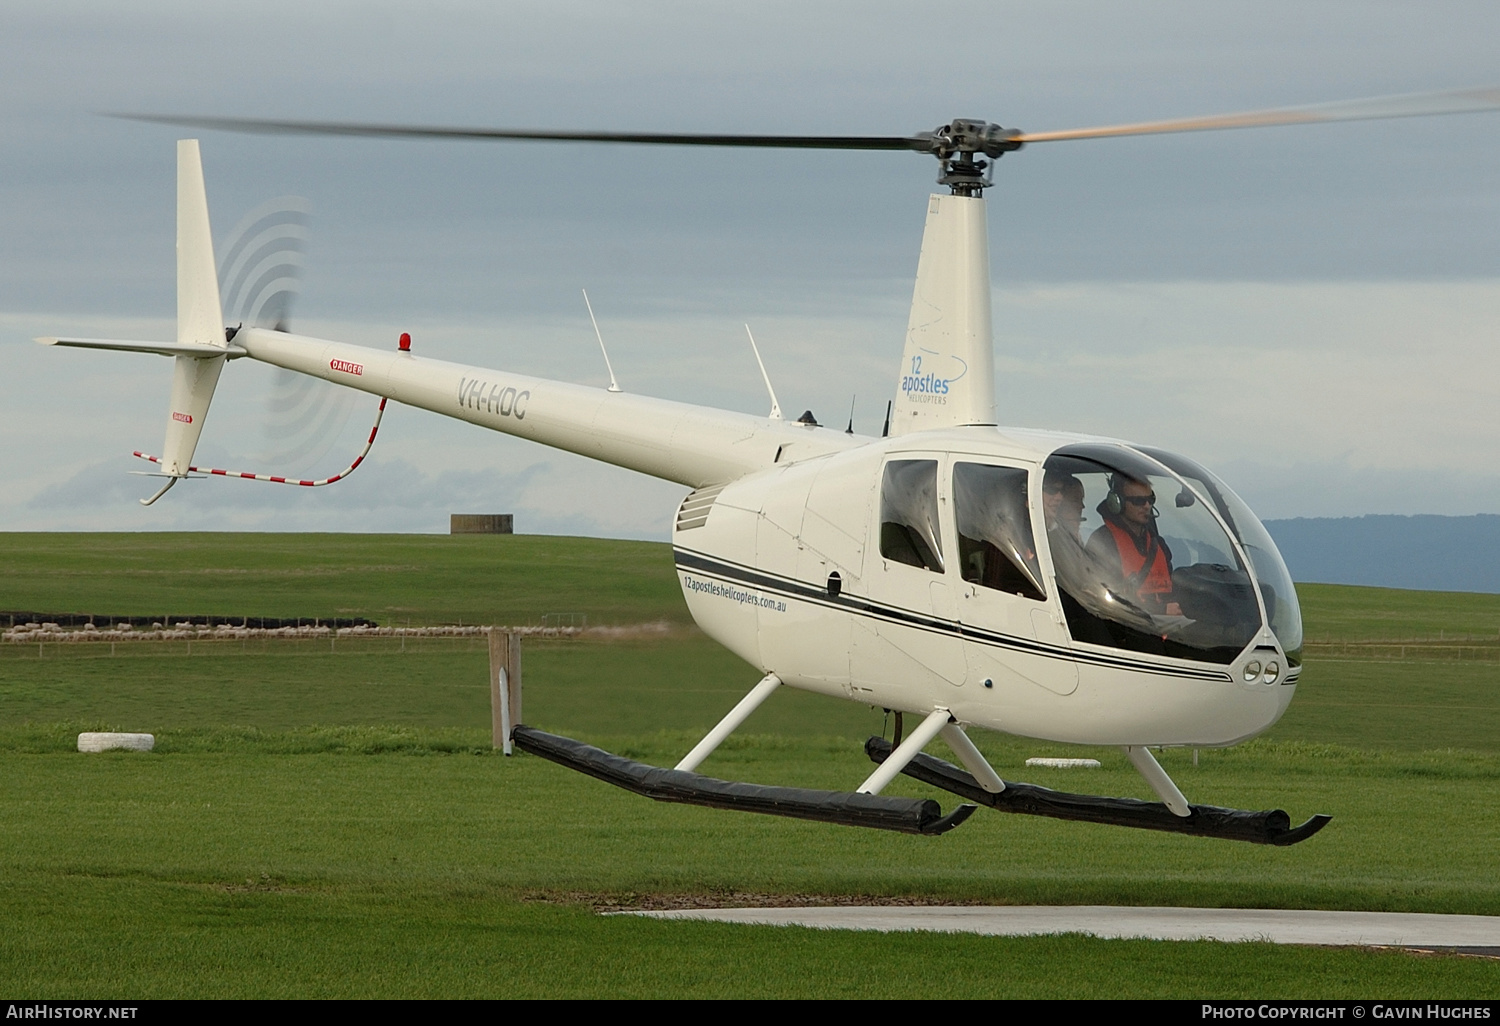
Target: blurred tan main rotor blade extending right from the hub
[[1463, 101]]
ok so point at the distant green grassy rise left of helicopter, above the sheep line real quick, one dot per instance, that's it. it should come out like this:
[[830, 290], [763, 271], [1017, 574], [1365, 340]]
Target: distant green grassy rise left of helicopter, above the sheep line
[[391, 578]]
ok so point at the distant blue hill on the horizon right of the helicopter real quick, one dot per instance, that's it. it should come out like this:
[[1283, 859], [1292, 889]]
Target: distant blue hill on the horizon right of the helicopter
[[1429, 553]]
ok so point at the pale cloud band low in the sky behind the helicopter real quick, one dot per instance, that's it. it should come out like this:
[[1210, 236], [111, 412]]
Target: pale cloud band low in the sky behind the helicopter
[[1312, 400]]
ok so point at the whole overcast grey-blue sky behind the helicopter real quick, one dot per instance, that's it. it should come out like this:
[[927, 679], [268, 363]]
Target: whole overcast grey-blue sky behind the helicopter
[[1312, 311]]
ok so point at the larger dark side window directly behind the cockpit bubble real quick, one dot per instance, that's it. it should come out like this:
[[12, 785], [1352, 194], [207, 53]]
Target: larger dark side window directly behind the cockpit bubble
[[997, 548]]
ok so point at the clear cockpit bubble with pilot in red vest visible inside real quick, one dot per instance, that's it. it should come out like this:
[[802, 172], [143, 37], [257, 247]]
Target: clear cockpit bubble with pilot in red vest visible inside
[[1150, 556]]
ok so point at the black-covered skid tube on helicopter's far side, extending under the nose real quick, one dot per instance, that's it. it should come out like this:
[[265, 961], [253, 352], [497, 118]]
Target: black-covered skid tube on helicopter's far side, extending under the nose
[[1205, 821]]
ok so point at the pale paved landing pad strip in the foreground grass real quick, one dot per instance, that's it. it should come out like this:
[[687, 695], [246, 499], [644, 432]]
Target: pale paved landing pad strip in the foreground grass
[[1387, 929]]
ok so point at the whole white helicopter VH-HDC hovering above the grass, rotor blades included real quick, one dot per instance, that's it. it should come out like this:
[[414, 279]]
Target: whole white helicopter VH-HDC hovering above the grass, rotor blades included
[[937, 572]]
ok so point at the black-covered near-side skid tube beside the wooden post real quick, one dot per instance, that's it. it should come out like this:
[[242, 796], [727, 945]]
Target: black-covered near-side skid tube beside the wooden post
[[905, 815]]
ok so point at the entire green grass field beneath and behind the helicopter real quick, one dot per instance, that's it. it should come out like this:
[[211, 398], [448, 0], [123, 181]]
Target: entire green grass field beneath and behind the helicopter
[[332, 824]]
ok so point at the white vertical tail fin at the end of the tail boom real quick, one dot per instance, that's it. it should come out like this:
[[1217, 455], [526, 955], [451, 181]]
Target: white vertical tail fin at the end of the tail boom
[[200, 317]]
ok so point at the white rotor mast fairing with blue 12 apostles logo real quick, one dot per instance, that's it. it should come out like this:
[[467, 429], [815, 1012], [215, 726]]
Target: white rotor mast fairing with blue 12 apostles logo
[[949, 367]]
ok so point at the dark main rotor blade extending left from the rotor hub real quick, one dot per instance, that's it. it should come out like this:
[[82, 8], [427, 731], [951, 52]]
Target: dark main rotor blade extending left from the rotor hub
[[920, 143]]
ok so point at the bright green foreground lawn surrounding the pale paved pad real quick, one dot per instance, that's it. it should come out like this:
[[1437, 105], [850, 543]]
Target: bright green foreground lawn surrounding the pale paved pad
[[245, 874]]
